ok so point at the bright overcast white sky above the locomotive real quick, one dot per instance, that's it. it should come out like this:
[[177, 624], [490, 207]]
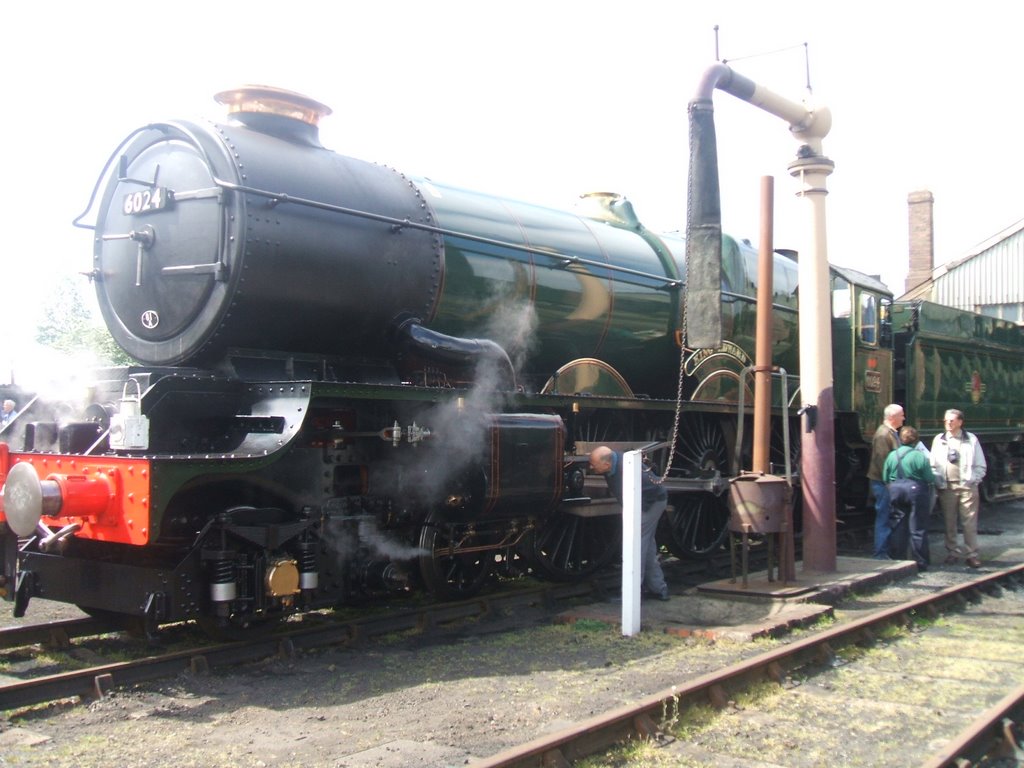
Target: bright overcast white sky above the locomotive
[[539, 101]]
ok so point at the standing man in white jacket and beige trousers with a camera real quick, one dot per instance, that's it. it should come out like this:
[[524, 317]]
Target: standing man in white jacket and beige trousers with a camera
[[959, 464]]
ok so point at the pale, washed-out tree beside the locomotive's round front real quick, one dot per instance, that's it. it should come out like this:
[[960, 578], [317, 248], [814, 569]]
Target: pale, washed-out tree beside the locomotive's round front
[[68, 326]]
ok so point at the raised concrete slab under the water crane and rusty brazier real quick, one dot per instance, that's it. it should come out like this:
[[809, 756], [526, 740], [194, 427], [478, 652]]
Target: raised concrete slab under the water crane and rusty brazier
[[851, 574]]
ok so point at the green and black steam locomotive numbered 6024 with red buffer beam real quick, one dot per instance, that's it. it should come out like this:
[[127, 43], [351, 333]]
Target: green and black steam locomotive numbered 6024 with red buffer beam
[[353, 382]]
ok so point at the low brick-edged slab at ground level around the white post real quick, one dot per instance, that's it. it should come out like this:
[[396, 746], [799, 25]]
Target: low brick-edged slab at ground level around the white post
[[735, 619]]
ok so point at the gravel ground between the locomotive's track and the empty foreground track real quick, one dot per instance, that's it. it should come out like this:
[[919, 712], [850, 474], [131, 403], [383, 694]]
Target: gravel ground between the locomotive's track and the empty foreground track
[[408, 700]]
